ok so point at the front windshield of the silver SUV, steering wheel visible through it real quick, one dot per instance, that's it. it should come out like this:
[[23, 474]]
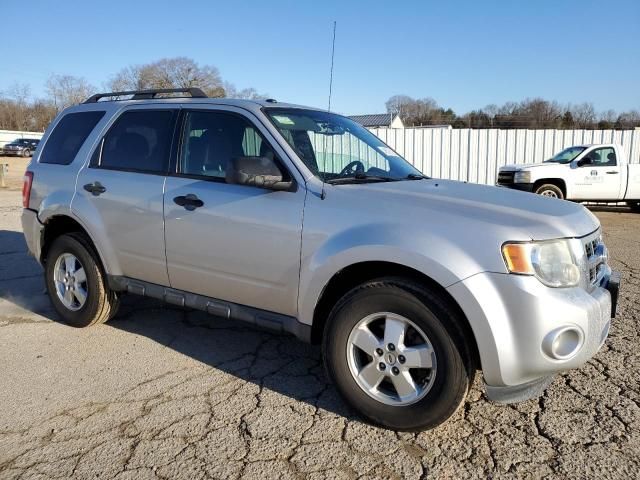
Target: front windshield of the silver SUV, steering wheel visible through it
[[336, 148]]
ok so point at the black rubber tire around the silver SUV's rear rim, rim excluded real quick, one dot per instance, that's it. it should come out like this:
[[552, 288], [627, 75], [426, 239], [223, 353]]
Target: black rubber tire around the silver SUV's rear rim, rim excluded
[[101, 302]]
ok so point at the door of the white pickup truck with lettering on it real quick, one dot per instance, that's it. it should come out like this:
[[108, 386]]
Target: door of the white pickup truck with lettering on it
[[600, 178]]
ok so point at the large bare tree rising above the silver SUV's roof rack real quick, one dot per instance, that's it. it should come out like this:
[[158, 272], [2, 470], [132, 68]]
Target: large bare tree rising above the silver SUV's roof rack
[[178, 72]]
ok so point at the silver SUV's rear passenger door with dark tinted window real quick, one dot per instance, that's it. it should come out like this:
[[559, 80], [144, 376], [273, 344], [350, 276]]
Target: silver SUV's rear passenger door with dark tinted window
[[120, 192]]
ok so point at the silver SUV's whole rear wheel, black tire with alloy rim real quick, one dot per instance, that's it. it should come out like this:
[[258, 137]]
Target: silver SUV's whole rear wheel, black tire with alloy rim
[[76, 283]]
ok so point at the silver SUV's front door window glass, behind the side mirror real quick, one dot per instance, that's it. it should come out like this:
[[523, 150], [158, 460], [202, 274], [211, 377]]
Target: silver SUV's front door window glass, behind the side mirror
[[212, 139]]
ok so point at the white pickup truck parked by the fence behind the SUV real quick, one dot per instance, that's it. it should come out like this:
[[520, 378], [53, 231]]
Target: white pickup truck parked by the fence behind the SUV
[[582, 173]]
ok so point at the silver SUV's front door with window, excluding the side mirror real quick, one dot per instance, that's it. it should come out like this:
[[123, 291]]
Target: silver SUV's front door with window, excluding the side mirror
[[231, 242]]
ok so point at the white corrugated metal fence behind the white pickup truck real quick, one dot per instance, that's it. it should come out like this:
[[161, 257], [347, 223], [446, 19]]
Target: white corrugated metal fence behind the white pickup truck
[[475, 155]]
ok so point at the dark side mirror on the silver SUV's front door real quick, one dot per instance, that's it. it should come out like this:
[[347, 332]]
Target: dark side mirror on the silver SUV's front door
[[260, 172]]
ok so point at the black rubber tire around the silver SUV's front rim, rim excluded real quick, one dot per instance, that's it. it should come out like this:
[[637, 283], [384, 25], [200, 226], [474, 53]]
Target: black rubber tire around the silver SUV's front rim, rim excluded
[[432, 314]]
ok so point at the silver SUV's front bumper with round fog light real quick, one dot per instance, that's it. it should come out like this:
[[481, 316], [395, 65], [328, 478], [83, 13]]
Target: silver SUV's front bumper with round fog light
[[527, 332]]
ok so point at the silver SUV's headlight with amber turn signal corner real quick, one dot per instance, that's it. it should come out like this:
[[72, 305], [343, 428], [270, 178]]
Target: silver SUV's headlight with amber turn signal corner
[[551, 262]]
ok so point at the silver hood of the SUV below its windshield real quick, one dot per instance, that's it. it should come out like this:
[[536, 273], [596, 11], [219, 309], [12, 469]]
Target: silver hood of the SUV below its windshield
[[511, 213]]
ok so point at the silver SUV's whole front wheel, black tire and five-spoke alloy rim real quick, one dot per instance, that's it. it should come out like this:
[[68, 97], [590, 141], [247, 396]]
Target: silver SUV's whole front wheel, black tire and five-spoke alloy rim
[[391, 357]]
